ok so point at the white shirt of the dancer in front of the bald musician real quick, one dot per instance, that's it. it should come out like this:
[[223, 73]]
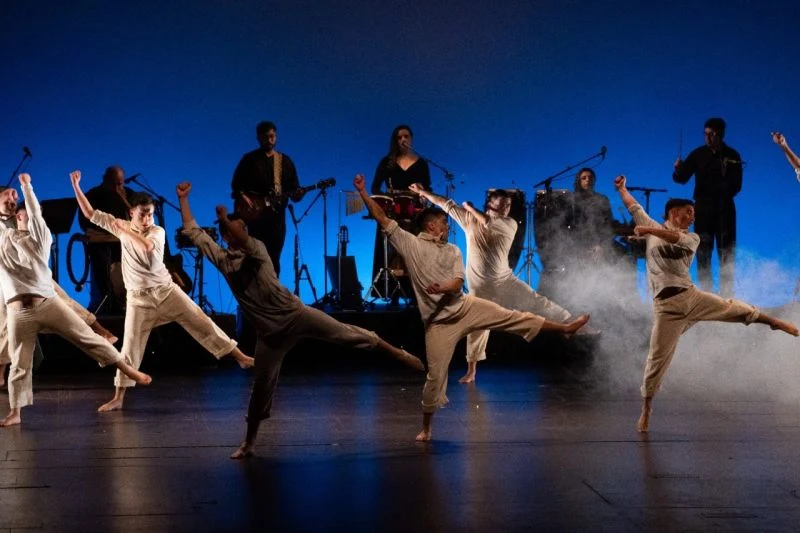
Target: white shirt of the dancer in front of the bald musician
[[140, 269]]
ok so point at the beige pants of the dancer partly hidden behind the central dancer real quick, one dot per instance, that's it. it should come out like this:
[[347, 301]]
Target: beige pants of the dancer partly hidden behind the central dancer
[[511, 293]]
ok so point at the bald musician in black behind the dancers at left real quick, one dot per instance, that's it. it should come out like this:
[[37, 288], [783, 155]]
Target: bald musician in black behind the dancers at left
[[105, 252]]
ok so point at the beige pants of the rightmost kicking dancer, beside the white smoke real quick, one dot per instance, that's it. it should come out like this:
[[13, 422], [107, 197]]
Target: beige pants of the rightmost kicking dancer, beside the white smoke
[[673, 316]]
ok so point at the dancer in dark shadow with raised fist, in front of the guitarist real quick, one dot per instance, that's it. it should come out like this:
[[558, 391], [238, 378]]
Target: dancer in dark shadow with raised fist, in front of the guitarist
[[280, 318]]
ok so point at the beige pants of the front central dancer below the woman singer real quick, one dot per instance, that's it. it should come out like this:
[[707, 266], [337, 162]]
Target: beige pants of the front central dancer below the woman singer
[[441, 338]]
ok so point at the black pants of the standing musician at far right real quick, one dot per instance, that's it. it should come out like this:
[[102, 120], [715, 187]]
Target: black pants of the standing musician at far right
[[715, 223]]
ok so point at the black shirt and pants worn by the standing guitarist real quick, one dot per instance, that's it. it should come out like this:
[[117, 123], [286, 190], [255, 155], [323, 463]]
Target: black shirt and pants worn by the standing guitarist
[[255, 175]]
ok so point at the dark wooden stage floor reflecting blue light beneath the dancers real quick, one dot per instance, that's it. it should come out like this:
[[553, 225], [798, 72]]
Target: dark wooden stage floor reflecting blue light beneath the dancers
[[525, 448]]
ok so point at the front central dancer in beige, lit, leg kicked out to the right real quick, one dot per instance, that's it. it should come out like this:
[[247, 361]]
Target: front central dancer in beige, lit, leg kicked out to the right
[[437, 275]]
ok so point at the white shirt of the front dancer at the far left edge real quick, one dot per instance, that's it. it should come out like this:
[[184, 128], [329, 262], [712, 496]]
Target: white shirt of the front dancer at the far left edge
[[25, 255]]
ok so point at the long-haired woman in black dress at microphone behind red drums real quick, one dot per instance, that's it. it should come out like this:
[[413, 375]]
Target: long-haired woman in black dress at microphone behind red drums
[[396, 171]]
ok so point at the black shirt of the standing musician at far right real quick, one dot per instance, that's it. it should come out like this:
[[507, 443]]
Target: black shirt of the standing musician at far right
[[717, 175]]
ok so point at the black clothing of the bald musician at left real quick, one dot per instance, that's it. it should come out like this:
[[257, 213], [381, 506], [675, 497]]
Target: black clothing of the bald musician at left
[[103, 255]]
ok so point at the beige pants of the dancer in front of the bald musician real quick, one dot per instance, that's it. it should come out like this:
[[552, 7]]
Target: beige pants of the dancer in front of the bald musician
[[149, 308]]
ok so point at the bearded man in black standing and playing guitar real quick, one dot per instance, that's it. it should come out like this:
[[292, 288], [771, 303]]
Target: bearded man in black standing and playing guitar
[[262, 181]]
